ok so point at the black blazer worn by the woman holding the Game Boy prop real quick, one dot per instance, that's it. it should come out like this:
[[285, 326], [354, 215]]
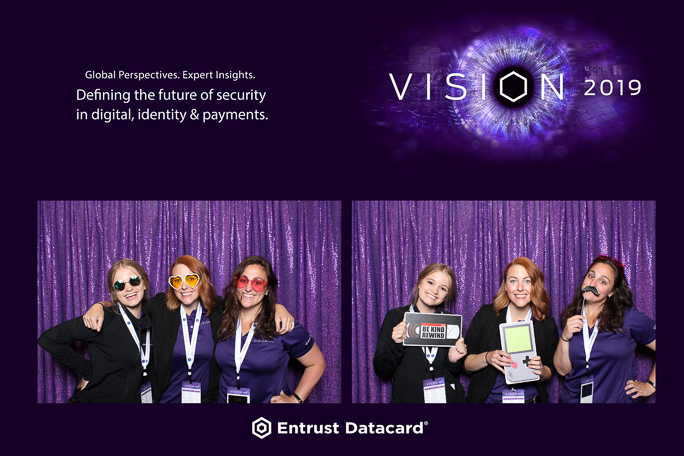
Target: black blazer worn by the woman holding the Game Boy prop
[[483, 335]]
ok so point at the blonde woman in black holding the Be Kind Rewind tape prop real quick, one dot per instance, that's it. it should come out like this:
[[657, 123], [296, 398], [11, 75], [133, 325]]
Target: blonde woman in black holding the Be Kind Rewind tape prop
[[414, 370]]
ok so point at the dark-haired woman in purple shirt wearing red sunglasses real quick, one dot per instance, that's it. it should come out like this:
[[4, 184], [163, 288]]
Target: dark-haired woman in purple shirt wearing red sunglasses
[[251, 356]]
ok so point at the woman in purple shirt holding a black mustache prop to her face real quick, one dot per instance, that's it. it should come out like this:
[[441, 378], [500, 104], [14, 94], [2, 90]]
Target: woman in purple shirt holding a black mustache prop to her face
[[601, 329]]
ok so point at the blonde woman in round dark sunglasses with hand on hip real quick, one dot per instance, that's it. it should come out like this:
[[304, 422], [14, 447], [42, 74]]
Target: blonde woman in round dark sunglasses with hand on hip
[[120, 352]]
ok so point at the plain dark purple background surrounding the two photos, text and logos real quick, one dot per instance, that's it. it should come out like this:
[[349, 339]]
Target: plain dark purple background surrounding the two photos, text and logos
[[309, 56]]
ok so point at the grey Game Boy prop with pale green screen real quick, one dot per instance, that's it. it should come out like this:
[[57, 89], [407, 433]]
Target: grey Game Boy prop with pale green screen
[[517, 339]]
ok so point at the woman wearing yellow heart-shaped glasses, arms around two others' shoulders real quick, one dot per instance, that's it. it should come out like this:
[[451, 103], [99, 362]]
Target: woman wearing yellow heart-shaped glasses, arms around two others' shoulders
[[186, 320]]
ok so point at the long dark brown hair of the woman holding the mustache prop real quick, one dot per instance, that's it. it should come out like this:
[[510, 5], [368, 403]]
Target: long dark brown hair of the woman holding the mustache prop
[[613, 311]]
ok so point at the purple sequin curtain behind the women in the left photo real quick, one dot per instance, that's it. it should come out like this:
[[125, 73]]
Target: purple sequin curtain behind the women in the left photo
[[78, 242]]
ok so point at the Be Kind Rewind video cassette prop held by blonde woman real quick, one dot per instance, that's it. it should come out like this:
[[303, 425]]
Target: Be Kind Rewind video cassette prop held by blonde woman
[[432, 330]]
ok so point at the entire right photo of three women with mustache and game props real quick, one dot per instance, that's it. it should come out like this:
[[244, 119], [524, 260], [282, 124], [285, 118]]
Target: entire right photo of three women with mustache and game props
[[503, 301]]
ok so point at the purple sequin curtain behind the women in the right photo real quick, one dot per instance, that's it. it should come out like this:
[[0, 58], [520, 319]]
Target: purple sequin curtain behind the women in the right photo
[[393, 241]]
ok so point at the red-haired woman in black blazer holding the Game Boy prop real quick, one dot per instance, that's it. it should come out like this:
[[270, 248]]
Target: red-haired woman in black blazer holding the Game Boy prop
[[521, 297]]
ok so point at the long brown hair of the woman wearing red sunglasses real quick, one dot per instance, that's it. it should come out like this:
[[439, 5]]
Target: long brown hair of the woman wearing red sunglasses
[[265, 320]]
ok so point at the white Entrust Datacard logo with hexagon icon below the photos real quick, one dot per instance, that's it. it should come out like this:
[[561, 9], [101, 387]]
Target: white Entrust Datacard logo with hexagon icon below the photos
[[262, 428]]
